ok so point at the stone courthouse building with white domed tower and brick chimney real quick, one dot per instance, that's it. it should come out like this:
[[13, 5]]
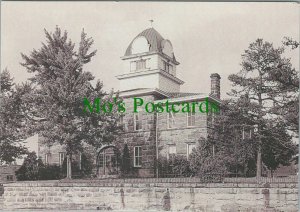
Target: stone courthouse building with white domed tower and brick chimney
[[150, 73]]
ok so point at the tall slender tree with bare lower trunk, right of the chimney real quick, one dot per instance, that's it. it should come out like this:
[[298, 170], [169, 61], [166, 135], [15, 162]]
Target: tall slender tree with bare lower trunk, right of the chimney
[[256, 82]]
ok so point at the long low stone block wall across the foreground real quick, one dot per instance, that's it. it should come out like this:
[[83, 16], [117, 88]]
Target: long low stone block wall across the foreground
[[151, 196]]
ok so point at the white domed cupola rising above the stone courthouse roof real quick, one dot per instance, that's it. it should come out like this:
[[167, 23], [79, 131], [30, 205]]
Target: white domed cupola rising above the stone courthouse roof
[[149, 62]]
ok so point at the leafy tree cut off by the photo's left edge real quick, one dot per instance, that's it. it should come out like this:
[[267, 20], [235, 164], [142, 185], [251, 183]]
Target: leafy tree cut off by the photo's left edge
[[12, 120]]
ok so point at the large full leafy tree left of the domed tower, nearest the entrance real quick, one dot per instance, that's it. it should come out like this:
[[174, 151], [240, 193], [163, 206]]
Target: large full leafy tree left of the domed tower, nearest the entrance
[[60, 87]]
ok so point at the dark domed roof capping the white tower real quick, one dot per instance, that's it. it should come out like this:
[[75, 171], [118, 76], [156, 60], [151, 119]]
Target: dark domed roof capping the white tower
[[154, 39]]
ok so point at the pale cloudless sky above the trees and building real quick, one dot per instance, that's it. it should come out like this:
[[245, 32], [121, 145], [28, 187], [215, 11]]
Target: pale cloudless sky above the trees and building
[[206, 37]]
